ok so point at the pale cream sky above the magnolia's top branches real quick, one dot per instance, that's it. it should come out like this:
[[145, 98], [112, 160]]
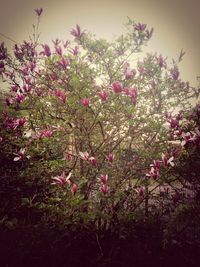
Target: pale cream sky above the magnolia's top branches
[[176, 23]]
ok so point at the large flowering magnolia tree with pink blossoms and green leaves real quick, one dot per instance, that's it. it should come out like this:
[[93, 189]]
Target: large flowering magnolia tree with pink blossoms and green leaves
[[101, 132]]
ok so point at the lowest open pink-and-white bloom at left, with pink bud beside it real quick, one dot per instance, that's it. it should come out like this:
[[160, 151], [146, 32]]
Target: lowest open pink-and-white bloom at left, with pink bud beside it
[[62, 180]]
